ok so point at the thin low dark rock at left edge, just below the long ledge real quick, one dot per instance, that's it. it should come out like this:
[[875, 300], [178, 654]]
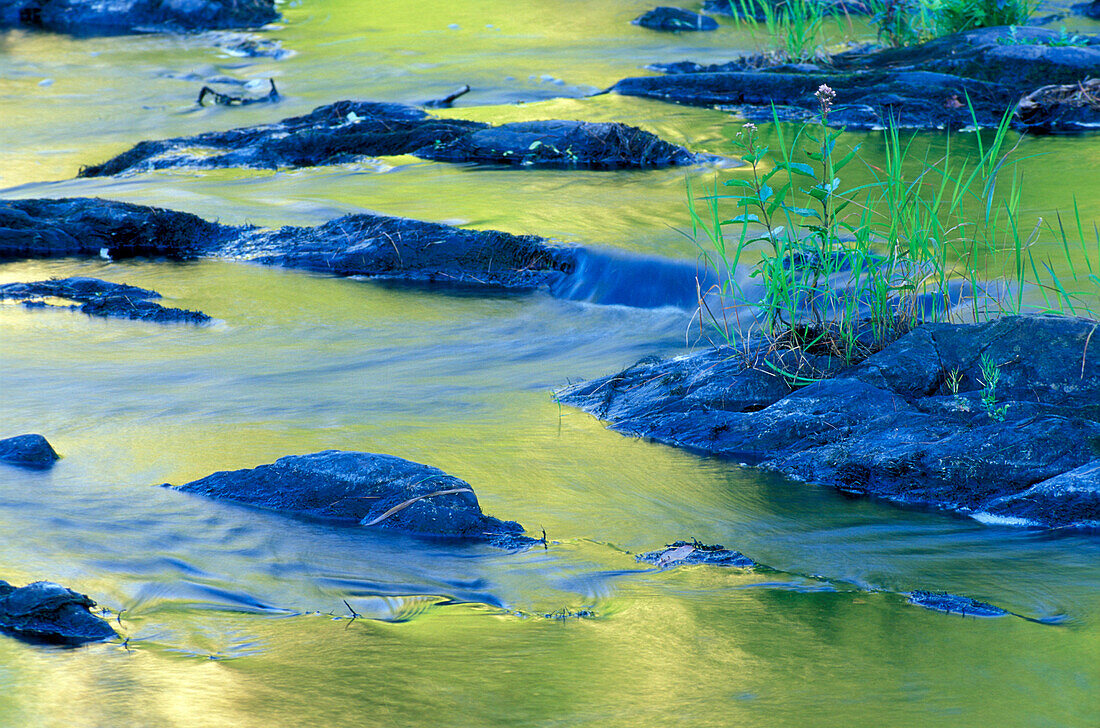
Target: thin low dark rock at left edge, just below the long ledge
[[101, 299]]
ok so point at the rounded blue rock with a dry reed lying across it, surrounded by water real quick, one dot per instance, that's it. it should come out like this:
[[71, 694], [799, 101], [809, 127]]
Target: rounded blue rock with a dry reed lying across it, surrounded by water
[[368, 490]]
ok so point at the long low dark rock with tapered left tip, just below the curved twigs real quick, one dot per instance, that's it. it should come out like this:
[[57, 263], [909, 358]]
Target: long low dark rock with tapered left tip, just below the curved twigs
[[354, 131]]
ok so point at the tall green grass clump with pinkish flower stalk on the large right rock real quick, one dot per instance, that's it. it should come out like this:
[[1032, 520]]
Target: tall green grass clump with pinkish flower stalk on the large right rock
[[846, 270]]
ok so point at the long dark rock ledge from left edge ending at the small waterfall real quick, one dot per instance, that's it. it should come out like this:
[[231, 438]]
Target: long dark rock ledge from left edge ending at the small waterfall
[[381, 247]]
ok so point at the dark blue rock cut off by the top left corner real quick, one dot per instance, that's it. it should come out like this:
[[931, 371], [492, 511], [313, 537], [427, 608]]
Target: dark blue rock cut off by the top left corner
[[124, 17]]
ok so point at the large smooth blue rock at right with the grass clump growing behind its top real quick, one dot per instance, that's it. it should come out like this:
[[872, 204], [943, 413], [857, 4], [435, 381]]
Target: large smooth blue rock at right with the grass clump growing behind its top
[[911, 424]]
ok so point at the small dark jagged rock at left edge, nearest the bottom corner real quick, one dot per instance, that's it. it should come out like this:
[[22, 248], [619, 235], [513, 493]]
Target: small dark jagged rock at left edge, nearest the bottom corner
[[50, 613]]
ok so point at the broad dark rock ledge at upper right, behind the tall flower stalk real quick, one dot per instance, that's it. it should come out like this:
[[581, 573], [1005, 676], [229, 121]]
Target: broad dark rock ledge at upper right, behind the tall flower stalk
[[927, 86]]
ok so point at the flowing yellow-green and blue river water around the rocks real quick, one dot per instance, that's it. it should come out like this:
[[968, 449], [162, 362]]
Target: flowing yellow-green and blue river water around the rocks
[[238, 617]]
